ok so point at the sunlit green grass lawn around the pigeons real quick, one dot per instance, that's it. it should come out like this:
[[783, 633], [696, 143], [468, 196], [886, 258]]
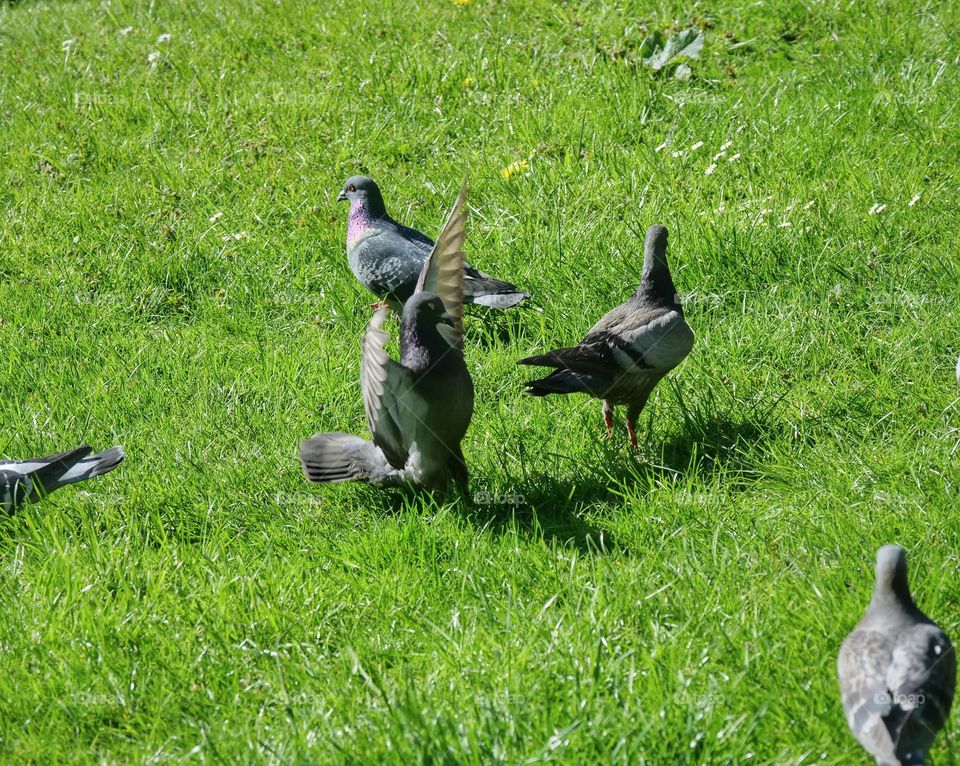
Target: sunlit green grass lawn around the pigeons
[[172, 278]]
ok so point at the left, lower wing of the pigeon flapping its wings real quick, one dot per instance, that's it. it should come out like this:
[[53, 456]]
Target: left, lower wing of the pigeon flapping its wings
[[384, 384]]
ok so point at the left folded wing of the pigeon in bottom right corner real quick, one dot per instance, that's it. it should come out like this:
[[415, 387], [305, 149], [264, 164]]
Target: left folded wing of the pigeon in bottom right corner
[[861, 669]]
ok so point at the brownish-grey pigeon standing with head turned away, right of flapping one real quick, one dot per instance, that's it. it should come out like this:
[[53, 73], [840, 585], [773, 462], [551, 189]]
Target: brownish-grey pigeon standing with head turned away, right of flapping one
[[627, 352]]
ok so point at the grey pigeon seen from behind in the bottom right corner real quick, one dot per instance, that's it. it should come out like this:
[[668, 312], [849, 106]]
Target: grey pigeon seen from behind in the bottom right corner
[[897, 671]]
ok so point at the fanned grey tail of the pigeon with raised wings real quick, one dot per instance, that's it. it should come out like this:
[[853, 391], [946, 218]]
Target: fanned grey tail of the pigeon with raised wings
[[336, 457]]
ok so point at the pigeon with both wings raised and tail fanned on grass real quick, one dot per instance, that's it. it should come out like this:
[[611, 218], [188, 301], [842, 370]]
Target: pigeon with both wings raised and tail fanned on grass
[[418, 410]]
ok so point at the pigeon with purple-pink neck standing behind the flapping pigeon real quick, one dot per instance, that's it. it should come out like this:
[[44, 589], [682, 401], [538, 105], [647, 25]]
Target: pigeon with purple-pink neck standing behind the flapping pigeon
[[387, 258]]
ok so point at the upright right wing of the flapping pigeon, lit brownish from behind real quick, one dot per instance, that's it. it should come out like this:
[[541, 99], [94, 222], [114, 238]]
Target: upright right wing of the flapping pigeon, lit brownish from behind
[[443, 272]]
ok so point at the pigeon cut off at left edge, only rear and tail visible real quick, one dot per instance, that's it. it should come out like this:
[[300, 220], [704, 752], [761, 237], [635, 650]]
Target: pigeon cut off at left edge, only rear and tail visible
[[27, 481]]
